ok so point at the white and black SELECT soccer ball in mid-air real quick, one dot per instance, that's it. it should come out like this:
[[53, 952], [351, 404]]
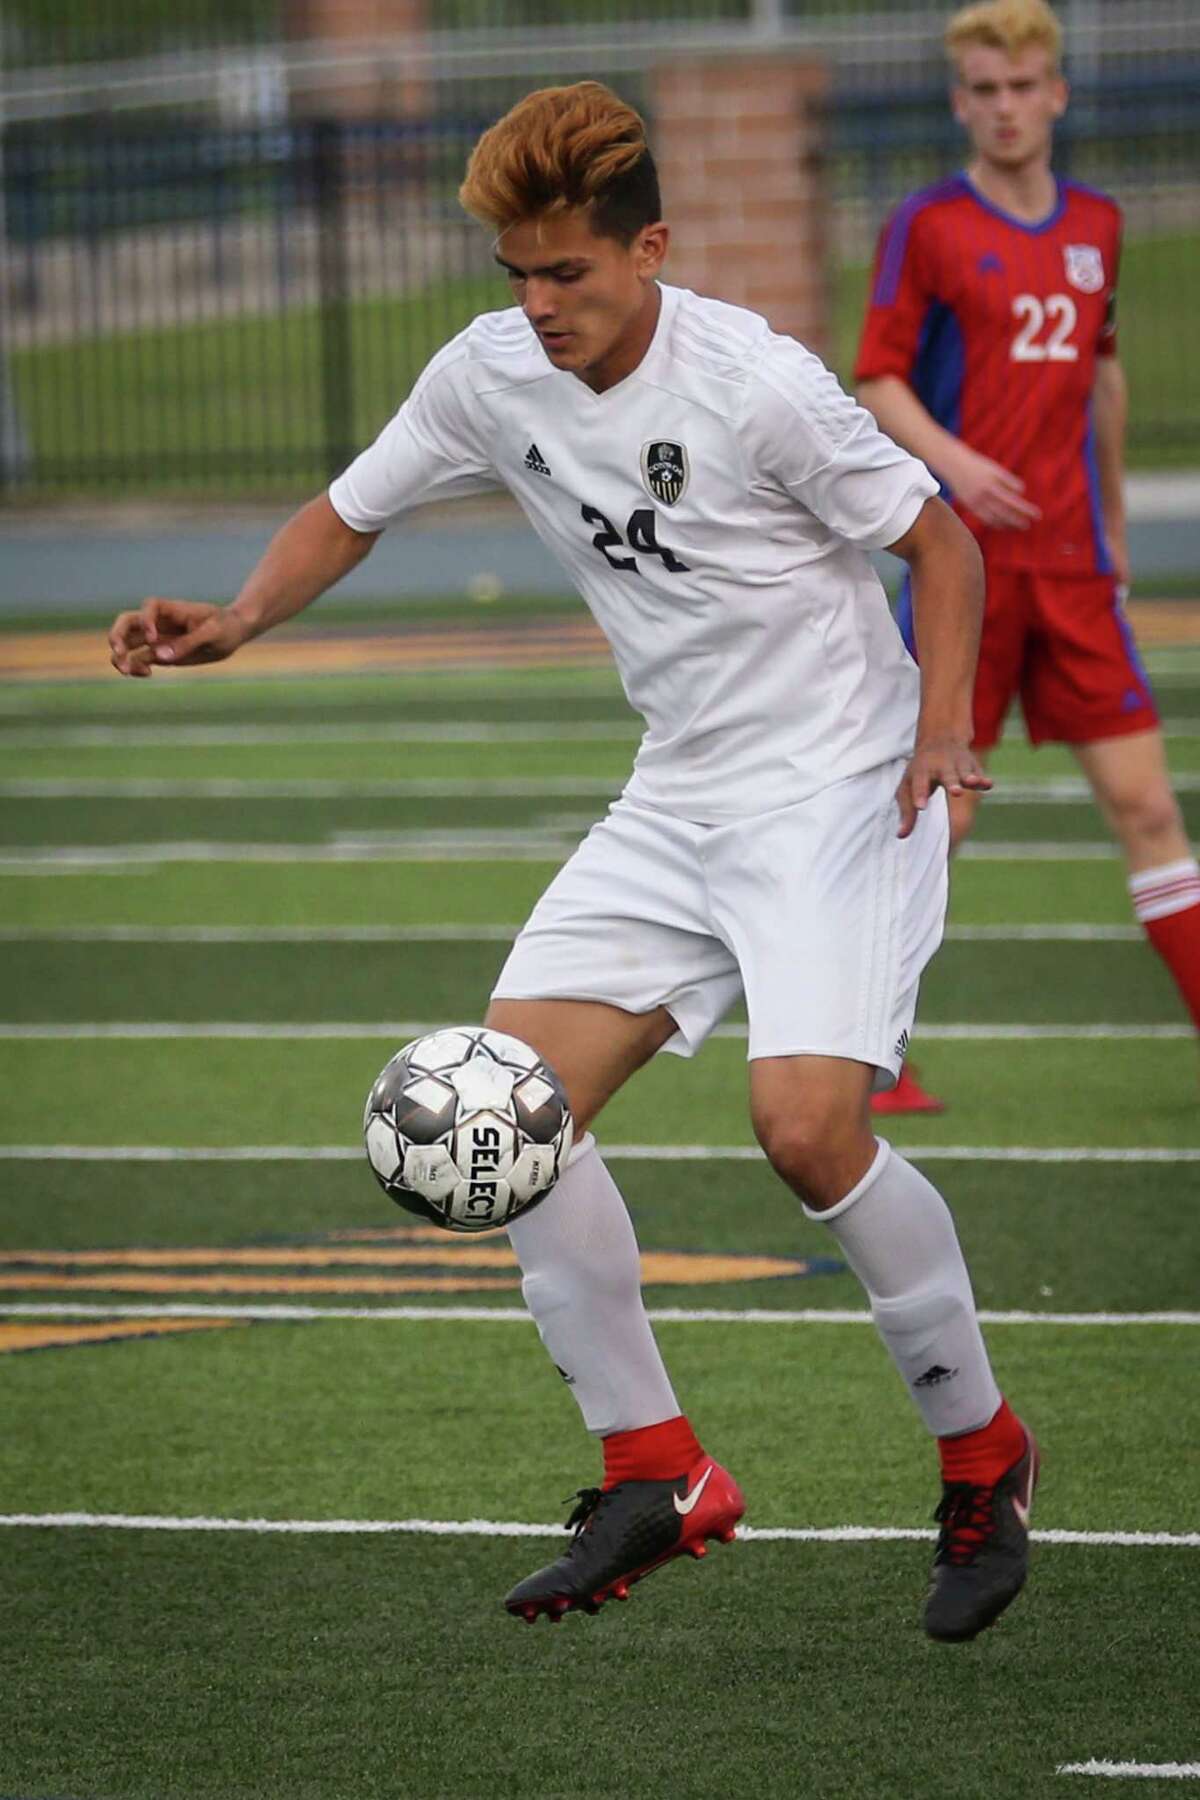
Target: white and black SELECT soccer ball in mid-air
[[467, 1128]]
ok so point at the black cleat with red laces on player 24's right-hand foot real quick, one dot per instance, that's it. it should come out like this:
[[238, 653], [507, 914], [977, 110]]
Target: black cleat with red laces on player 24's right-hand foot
[[983, 1551]]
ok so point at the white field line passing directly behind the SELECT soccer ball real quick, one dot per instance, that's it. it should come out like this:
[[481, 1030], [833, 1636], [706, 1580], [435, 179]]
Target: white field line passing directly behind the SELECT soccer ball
[[632, 1153]]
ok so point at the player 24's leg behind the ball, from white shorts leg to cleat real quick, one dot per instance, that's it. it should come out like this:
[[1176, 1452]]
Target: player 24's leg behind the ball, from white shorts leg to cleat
[[578, 1252]]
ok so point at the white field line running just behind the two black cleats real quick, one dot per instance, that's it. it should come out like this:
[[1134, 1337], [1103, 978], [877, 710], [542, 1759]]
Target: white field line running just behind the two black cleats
[[836, 1534]]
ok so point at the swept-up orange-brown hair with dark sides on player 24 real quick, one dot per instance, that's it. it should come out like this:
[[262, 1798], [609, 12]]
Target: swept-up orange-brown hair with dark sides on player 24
[[566, 148]]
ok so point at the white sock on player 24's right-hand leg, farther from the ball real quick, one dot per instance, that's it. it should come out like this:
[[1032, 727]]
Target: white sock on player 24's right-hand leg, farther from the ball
[[900, 1241]]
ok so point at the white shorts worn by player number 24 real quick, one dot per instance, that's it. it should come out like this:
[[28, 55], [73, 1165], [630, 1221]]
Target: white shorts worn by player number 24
[[818, 913]]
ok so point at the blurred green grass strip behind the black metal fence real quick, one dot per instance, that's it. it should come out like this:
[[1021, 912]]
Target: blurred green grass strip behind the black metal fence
[[181, 408]]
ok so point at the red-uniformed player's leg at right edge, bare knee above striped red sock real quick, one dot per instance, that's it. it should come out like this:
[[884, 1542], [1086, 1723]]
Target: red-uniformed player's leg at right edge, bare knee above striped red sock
[[1134, 793]]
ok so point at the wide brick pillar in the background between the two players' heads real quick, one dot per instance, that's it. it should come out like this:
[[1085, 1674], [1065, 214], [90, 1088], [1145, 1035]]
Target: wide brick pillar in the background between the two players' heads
[[740, 152]]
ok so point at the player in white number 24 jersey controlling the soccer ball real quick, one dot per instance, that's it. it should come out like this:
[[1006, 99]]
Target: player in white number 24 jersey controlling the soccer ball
[[713, 494]]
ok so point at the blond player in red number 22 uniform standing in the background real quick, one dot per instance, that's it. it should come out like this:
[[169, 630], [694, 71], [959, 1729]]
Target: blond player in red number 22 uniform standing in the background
[[990, 350]]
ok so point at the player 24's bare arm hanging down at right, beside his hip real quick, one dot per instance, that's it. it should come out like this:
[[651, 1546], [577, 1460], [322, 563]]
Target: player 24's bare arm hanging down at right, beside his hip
[[947, 607]]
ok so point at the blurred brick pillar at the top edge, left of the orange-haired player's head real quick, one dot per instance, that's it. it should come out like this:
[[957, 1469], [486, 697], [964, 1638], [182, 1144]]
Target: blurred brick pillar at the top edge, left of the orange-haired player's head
[[382, 84]]
